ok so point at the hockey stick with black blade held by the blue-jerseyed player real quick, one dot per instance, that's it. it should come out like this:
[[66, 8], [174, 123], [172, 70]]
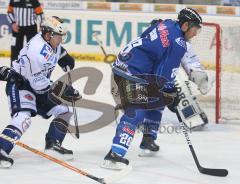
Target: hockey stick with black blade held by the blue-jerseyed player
[[203, 170]]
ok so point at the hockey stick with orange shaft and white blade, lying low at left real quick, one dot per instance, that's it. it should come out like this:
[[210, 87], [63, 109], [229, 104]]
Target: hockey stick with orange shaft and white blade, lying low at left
[[106, 180]]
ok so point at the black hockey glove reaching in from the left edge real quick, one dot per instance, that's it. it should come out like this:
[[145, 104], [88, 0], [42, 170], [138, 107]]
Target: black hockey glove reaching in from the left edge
[[8, 74]]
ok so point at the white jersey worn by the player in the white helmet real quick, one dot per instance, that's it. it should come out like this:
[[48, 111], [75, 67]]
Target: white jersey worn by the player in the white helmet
[[36, 61]]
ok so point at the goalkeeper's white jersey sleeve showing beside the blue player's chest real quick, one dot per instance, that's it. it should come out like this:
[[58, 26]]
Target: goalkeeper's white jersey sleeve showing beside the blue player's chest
[[190, 60]]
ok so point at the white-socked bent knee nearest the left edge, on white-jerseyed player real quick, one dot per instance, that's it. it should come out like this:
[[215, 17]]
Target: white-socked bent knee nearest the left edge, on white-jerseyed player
[[21, 120]]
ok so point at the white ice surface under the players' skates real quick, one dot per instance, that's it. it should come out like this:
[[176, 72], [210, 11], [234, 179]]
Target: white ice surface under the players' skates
[[216, 147]]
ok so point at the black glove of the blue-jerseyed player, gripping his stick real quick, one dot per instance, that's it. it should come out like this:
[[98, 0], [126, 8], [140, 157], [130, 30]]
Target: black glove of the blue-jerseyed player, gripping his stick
[[171, 99]]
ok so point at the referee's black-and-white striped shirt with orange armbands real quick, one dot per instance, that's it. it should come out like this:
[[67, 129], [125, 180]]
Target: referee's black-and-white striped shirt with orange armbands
[[24, 12]]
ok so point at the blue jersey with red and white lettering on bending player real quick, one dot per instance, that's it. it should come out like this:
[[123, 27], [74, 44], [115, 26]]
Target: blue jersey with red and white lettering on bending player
[[158, 51]]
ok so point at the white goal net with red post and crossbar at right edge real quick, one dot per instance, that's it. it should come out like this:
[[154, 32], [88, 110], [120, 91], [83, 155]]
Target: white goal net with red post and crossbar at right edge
[[218, 49]]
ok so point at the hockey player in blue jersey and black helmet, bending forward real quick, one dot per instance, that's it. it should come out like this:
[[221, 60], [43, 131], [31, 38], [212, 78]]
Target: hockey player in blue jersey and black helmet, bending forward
[[144, 73]]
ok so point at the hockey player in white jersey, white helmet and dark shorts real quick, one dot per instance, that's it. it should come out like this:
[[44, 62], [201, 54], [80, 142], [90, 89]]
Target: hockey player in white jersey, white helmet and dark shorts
[[35, 63]]
